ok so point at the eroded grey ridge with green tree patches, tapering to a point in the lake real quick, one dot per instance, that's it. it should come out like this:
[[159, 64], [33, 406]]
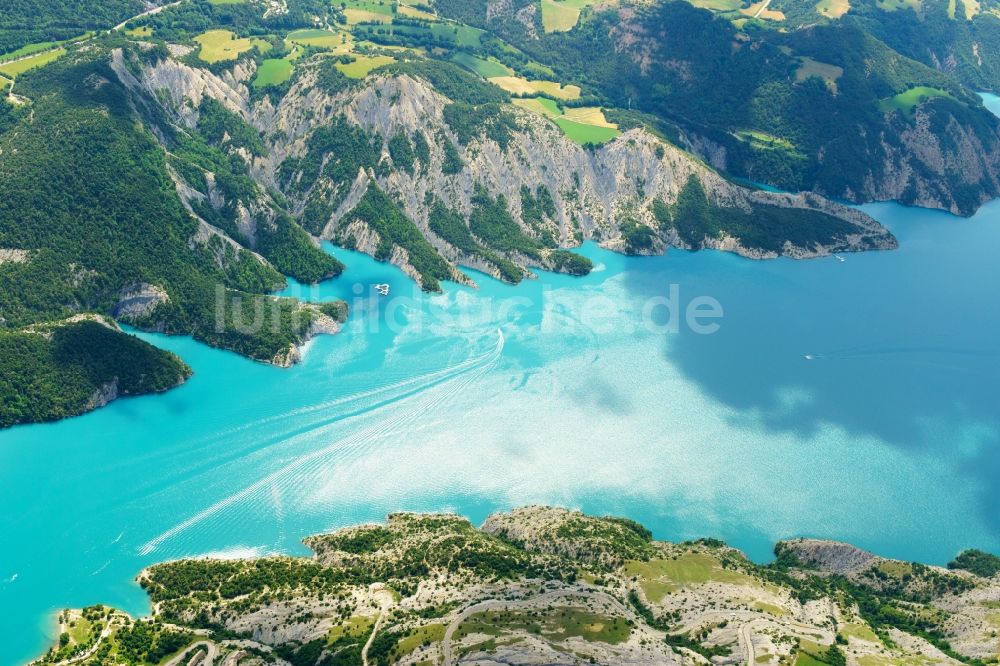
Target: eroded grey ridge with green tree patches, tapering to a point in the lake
[[393, 167]]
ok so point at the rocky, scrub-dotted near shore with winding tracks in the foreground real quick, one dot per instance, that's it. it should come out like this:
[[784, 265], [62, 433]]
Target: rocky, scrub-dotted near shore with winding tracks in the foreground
[[543, 586]]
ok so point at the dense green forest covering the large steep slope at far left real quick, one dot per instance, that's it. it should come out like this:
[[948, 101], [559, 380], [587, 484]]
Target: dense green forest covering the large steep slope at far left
[[90, 233]]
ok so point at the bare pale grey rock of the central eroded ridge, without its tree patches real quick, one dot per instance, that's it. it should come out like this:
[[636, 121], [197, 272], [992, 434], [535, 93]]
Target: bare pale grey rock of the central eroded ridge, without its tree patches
[[596, 193]]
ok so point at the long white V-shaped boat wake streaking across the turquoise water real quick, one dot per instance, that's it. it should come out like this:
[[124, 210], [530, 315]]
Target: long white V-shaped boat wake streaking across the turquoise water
[[409, 400]]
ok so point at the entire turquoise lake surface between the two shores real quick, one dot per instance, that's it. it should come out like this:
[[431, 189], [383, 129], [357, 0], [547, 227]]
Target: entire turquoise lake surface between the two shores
[[856, 400]]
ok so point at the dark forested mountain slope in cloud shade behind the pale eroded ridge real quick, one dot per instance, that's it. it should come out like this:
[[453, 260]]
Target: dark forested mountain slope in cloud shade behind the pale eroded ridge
[[815, 108]]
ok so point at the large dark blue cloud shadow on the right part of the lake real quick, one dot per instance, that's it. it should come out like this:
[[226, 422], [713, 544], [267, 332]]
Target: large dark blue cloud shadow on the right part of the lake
[[899, 346]]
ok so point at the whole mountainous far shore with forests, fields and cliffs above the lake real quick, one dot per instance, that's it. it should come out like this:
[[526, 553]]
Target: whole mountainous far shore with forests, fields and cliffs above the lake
[[170, 174]]
